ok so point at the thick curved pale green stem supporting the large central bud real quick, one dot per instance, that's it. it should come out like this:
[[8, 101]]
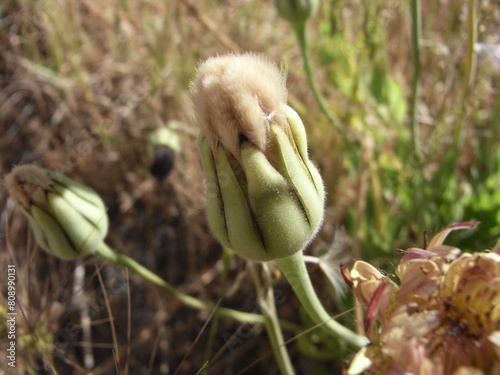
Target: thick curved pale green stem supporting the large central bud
[[295, 271]]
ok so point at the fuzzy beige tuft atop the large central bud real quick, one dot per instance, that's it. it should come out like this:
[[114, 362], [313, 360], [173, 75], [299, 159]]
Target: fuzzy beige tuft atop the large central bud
[[236, 96]]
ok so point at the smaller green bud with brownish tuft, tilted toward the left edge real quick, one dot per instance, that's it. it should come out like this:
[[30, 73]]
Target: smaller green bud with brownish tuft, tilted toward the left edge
[[69, 220]]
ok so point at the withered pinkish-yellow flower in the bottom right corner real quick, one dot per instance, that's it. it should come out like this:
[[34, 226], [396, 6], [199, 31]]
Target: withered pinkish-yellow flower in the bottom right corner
[[443, 318]]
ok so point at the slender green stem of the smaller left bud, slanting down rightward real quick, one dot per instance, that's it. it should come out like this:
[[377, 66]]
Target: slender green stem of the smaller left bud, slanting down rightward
[[110, 255]]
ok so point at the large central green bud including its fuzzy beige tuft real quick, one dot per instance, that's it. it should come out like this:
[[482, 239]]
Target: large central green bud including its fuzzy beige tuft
[[265, 198]]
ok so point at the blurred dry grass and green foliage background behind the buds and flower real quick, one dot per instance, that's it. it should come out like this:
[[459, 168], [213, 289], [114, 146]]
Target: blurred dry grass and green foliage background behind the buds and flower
[[86, 85]]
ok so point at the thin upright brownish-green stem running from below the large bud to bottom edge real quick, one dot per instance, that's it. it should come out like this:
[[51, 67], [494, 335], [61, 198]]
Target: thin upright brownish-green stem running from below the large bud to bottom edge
[[265, 298]]
